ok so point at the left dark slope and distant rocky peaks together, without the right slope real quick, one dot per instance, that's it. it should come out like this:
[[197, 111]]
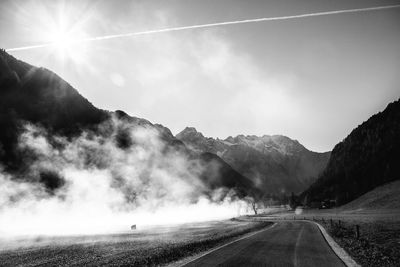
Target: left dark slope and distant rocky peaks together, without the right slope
[[268, 164]]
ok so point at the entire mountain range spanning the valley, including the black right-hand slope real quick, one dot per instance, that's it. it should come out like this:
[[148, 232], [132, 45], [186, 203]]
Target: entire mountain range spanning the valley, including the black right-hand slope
[[249, 165]]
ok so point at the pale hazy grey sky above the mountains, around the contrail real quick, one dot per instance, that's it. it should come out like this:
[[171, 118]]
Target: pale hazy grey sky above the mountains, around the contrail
[[313, 79]]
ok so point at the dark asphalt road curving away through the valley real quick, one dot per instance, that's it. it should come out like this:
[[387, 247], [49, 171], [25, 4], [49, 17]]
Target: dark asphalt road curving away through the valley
[[289, 243]]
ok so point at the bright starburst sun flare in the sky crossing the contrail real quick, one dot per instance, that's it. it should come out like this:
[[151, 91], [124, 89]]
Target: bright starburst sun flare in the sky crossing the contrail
[[61, 28]]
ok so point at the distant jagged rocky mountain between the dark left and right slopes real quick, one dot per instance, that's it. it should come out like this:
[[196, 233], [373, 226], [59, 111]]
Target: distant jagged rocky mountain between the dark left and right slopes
[[276, 164]]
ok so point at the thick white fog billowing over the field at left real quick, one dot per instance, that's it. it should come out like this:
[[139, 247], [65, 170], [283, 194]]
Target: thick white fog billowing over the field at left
[[104, 181]]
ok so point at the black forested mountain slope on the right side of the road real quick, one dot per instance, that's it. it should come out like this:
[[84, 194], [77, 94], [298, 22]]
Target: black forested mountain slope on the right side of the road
[[368, 157]]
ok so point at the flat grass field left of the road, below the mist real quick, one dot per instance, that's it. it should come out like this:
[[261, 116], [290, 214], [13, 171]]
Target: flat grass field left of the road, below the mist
[[150, 247]]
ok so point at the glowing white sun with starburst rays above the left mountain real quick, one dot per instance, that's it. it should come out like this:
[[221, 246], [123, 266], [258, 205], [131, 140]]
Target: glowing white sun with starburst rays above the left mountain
[[61, 29]]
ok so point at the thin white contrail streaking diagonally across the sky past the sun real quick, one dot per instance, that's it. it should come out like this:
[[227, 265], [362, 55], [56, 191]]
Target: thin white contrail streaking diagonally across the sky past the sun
[[105, 37]]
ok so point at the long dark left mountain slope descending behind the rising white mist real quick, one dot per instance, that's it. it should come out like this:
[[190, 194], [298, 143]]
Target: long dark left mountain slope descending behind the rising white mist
[[38, 96]]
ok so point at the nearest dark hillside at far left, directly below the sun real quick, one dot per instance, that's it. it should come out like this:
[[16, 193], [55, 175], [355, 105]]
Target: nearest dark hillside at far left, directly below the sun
[[38, 96]]
